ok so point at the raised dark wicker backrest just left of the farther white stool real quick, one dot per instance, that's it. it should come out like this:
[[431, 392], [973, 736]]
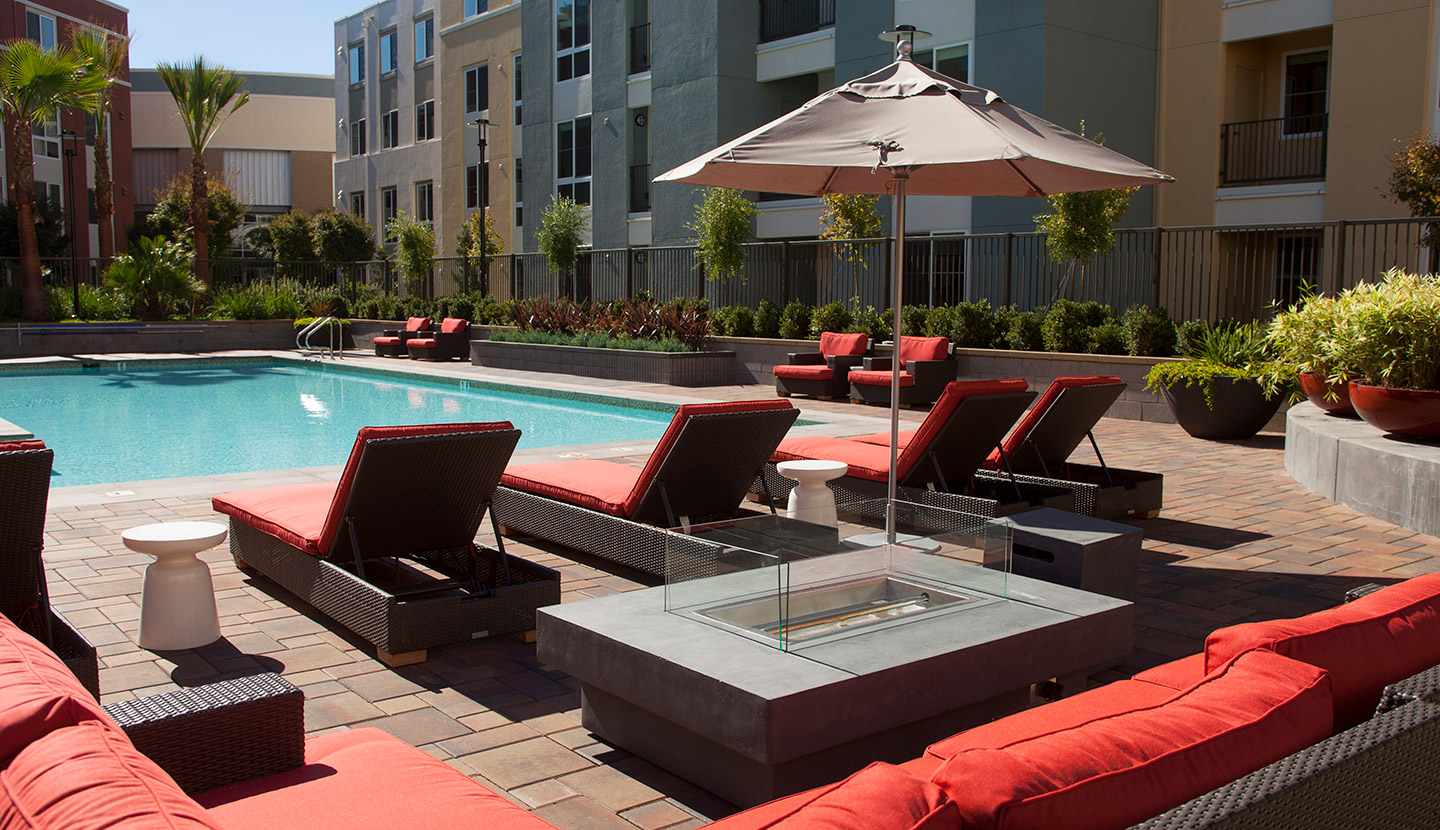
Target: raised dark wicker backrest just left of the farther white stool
[[709, 458]]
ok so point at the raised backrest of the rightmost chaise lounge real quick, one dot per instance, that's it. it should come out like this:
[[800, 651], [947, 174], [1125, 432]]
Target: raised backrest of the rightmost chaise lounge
[[1058, 424]]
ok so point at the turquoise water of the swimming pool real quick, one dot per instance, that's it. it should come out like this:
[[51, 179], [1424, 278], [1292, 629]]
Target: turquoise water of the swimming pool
[[143, 423]]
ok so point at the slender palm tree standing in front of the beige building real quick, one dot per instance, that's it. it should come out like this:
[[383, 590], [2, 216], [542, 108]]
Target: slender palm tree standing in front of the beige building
[[205, 96]]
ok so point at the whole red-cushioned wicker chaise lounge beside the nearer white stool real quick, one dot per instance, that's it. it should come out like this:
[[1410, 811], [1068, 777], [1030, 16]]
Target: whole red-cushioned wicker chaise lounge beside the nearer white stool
[[368, 551]]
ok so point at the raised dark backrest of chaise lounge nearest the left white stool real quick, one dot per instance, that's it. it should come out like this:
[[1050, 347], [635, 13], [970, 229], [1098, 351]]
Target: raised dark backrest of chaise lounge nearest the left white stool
[[415, 489]]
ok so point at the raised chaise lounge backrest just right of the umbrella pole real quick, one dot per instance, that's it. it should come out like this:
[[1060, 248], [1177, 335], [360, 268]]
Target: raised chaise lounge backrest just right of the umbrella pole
[[966, 426]]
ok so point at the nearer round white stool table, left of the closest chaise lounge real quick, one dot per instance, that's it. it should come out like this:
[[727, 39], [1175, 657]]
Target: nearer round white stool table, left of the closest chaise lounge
[[178, 602]]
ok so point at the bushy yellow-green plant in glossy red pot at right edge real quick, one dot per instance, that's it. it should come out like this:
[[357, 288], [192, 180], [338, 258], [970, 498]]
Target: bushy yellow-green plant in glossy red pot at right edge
[[1387, 344]]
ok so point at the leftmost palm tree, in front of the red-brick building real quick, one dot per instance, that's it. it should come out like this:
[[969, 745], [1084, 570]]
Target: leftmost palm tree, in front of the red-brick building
[[37, 84]]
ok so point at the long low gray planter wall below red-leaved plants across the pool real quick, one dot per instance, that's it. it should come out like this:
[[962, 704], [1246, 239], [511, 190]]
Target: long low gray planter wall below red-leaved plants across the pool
[[673, 368]]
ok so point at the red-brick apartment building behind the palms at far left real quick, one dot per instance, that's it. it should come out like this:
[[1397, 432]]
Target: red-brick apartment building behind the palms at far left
[[66, 146]]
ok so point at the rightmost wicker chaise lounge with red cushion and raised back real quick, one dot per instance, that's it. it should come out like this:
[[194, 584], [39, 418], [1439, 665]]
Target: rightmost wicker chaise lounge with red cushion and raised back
[[1040, 446]]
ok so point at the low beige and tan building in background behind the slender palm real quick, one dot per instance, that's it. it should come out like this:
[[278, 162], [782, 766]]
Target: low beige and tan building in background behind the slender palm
[[277, 152]]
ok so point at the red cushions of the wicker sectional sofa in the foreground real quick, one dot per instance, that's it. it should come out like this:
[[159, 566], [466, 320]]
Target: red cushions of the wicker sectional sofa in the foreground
[[1105, 759]]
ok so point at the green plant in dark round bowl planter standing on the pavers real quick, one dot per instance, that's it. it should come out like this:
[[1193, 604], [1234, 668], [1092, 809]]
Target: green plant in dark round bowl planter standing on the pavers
[[1229, 387]]
